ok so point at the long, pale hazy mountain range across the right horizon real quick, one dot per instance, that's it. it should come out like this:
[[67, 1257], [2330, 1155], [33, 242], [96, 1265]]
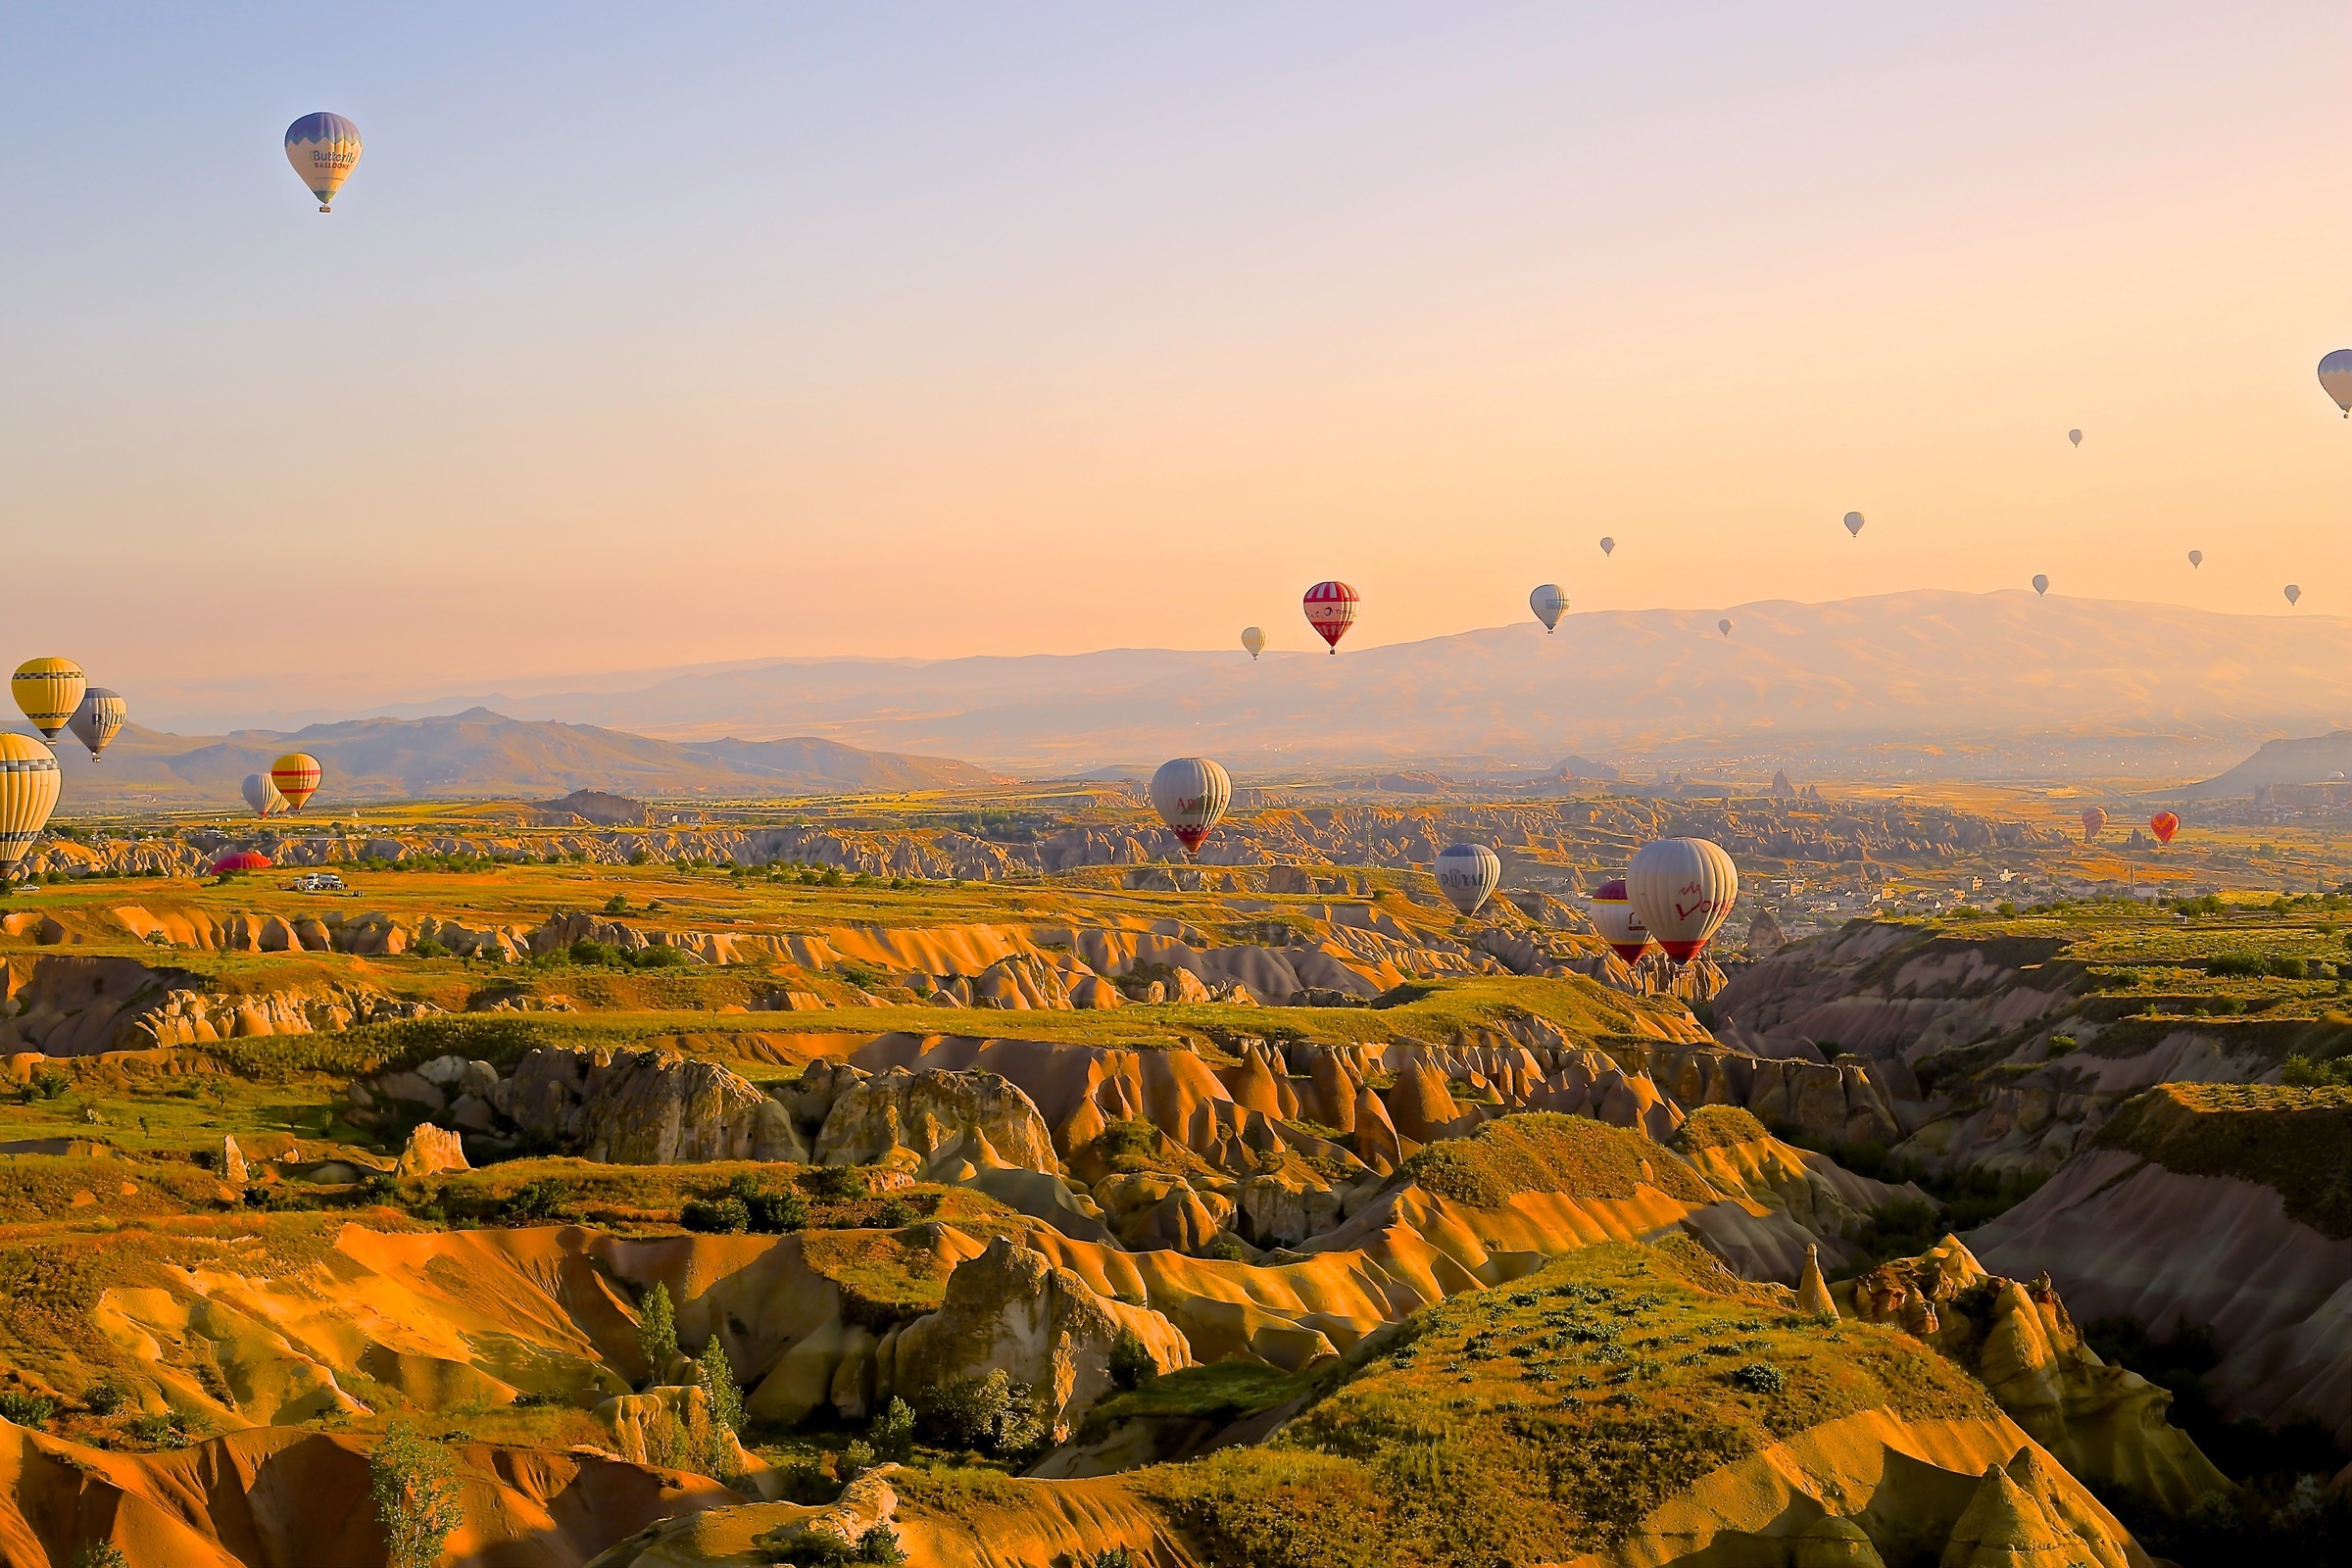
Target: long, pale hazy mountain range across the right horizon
[[1953, 683]]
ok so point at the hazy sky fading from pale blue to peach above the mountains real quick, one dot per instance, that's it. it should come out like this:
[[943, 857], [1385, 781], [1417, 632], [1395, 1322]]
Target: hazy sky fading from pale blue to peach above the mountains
[[662, 335]]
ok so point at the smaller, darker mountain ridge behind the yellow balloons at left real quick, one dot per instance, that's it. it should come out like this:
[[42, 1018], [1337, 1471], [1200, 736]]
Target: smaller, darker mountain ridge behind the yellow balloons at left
[[481, 753]]
